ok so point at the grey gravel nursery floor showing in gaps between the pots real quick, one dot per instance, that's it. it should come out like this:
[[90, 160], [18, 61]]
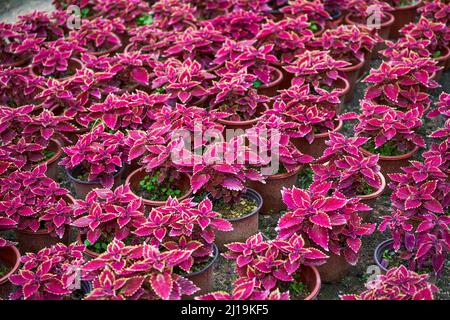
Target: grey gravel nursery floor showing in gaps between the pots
[[224, 274]]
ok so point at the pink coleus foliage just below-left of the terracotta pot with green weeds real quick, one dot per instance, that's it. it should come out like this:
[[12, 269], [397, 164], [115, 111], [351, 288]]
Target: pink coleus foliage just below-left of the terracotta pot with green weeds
[[106, 215]]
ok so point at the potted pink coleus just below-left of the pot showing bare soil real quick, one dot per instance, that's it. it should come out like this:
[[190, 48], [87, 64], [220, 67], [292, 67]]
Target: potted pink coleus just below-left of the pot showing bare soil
[[185, 225]]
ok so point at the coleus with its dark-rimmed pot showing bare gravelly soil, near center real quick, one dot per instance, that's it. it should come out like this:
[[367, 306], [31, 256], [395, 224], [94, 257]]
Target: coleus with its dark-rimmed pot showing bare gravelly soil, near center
[[223, 171]]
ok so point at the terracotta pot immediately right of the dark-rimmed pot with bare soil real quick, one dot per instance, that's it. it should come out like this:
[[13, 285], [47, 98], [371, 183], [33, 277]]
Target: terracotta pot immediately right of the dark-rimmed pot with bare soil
[[271, 190]]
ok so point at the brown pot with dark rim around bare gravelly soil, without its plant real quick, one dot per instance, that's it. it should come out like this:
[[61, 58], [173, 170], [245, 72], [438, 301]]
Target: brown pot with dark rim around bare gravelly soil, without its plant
[[243, 227]]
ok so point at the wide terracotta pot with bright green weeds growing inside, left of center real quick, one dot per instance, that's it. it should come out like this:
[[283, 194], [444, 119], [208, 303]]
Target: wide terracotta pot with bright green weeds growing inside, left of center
[[137, 175]]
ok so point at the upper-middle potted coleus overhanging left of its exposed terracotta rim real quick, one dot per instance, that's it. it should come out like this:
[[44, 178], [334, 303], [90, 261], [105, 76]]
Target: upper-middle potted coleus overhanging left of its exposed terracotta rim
[[256, 60]]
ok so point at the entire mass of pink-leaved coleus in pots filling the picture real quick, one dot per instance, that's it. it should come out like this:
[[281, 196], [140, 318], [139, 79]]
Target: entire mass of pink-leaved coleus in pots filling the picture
[[107, 175]]
